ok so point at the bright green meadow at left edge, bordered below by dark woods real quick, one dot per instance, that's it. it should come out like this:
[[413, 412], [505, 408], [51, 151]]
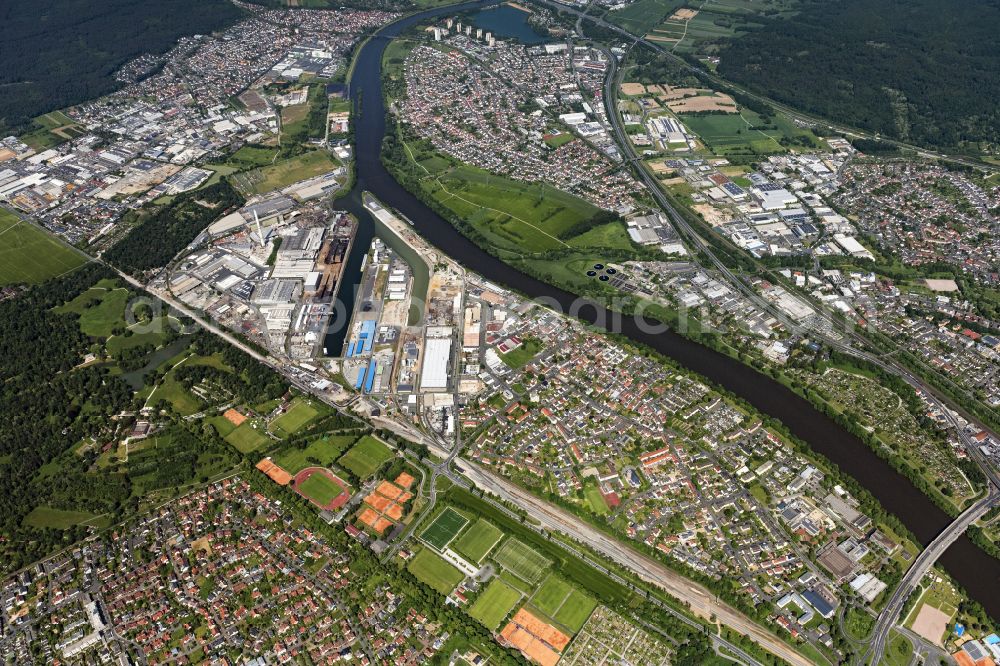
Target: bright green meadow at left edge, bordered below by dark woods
[[29, 254]]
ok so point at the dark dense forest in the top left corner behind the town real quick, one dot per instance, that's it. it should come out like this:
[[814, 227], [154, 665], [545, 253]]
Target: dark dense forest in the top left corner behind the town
[[55, 53]]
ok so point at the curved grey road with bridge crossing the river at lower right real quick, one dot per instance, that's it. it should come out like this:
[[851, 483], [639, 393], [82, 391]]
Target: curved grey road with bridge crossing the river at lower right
[[924, 561]]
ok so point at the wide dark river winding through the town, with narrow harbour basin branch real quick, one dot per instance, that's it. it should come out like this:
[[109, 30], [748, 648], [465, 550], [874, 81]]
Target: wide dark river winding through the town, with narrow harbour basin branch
[[976, 571]]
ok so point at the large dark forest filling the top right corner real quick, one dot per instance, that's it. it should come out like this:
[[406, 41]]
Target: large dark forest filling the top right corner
[[921, 71]]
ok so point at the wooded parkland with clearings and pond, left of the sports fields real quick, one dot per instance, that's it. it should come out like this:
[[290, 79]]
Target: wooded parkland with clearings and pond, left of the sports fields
[[61, 471]]
